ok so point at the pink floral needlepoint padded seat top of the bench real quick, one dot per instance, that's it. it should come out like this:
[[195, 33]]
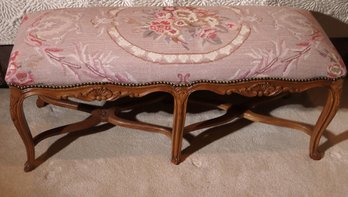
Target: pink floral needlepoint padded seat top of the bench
[[170, 44]]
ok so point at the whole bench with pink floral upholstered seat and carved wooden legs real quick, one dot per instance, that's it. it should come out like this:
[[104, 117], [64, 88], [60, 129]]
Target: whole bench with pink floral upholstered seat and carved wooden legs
[[108, 53]]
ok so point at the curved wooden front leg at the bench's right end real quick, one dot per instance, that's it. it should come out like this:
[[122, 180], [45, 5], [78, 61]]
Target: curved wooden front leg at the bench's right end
[[329, 111]]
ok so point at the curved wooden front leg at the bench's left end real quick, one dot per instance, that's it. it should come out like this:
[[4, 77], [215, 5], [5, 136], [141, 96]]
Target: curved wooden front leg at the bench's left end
[[20, 122]]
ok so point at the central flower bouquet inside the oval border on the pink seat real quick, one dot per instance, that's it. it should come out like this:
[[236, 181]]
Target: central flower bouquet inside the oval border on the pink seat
[[183, 25]]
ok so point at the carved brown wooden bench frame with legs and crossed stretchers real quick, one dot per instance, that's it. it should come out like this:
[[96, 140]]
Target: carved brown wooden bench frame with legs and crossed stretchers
[[59, 95]]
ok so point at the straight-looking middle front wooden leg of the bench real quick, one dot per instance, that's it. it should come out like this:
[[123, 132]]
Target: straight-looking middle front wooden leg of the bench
[[179, 116]]
